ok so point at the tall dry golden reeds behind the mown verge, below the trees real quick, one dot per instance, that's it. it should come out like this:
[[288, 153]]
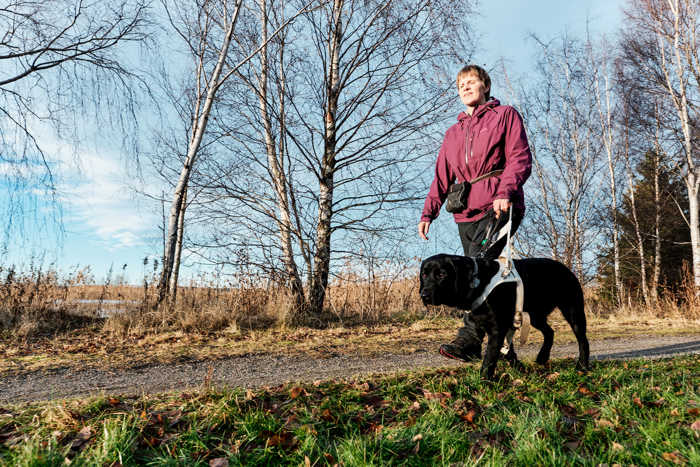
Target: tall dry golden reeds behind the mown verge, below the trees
[[35, 302]]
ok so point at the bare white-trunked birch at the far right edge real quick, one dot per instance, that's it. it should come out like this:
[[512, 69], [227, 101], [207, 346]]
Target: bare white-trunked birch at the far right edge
[[660, 51]]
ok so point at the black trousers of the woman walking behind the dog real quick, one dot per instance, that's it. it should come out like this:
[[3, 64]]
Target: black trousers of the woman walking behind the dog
[[476, 231]]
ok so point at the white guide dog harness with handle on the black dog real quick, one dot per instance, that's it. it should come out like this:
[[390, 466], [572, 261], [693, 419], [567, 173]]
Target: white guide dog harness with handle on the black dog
[[506, 274]]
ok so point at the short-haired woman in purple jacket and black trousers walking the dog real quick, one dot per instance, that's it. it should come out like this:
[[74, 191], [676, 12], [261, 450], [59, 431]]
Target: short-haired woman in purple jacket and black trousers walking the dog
[[489, 143]]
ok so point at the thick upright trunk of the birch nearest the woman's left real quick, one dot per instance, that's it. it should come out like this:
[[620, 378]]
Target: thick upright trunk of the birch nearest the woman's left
[[325, 202]]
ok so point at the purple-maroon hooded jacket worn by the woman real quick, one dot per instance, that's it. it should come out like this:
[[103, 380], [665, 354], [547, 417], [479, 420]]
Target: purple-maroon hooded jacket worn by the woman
[[497, 140]]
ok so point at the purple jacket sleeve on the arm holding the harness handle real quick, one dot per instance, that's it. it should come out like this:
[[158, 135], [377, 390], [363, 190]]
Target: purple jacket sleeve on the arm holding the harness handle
[[518, 157]]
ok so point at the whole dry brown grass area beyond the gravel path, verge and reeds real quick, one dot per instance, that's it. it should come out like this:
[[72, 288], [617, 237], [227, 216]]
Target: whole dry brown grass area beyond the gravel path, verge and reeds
[[46, 323]]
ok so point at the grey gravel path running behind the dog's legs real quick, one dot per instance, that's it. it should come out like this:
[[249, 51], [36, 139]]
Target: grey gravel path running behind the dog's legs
[[262, 370]]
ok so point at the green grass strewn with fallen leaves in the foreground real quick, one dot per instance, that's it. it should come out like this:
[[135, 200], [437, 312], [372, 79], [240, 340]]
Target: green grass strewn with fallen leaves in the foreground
[[635, 413]]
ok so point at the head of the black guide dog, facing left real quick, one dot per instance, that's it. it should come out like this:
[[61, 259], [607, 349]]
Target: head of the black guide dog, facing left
[[445, 279]]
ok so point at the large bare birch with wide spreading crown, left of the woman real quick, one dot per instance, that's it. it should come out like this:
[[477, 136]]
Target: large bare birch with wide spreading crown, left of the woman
[[357, 92]]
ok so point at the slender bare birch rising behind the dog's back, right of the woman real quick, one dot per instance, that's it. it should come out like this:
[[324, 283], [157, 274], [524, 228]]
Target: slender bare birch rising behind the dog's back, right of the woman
[[564, 127]]
